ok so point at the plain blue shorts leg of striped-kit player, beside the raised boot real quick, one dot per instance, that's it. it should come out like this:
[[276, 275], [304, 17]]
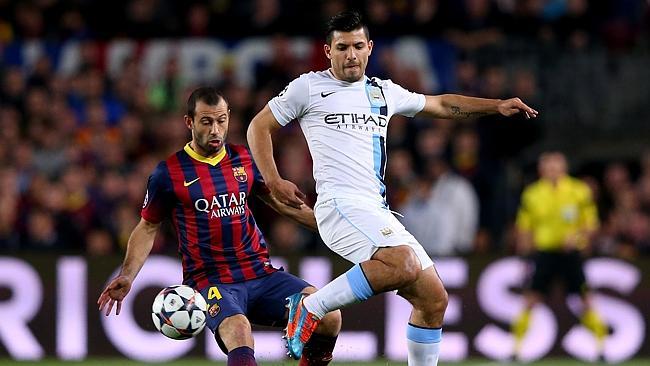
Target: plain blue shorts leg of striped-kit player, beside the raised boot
[[267, 304]]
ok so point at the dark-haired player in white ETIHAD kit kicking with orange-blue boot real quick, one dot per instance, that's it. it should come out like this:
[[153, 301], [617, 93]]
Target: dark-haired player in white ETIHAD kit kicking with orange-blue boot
[[344, 116]]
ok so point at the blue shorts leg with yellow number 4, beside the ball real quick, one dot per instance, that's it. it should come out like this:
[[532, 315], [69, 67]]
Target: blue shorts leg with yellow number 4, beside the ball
[[224, 301]]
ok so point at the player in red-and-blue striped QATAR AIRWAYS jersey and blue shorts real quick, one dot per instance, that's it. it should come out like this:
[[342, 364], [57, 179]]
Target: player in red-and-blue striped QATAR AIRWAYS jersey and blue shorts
[[205, 187]]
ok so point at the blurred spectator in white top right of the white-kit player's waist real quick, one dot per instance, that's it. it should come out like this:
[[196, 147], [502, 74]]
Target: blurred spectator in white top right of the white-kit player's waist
[[442, 212]]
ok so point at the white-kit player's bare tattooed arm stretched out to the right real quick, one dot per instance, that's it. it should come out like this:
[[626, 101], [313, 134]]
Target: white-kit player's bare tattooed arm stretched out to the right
[[455, 106]]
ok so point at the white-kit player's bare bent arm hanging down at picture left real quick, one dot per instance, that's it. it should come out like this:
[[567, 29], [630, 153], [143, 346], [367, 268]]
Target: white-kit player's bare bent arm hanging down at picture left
[[259, 140]]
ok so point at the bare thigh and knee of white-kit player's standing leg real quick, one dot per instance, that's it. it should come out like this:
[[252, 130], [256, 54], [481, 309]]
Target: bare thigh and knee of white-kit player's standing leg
[[427, 293]]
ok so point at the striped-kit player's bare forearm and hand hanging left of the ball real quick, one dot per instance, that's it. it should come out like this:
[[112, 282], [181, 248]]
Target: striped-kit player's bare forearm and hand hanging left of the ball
[[138, 248]]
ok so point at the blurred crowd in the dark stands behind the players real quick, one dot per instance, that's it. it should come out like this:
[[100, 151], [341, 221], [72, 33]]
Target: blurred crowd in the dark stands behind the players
[[77, 143]]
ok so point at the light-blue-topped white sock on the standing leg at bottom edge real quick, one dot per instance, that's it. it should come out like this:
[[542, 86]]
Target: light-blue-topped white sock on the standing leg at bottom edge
[[423, 345]]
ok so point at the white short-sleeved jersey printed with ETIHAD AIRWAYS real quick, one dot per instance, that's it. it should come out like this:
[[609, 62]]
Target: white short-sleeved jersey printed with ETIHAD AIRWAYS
[[345, 127]]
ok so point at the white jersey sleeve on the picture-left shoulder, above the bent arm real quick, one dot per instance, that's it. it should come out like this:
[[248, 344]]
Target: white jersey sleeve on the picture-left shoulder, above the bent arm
[[292, 102]]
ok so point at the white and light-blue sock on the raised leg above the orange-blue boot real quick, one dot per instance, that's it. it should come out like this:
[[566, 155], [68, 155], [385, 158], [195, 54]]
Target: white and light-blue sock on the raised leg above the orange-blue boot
[[346, 289]]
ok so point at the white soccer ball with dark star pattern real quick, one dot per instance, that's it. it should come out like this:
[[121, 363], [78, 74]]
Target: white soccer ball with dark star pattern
[[179, 312]]
